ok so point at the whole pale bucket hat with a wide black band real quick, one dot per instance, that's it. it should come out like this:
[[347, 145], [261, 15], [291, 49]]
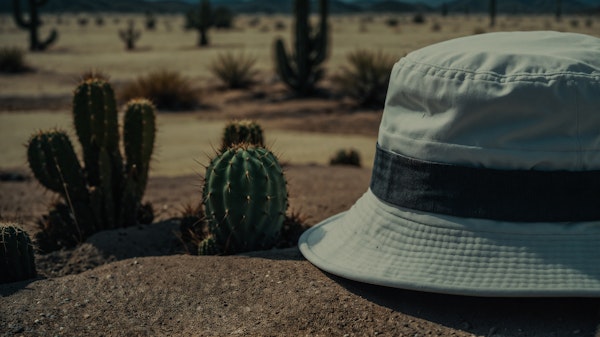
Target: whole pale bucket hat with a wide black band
[[486, 179]]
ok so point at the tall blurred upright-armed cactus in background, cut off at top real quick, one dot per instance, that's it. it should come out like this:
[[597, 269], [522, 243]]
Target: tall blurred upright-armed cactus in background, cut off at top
[[301, 71]]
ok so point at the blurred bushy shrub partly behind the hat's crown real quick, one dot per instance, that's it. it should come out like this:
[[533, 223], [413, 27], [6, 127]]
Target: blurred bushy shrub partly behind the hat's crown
[[366, 76]]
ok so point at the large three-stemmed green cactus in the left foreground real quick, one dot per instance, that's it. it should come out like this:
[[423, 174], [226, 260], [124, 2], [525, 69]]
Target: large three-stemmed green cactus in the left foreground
[[106, 192]]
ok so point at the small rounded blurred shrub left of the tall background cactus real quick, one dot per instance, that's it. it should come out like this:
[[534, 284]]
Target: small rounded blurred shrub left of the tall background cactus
[[234, 70]]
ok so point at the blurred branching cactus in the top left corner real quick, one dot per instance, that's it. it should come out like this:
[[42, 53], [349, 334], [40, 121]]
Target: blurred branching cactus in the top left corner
[[35, 44]]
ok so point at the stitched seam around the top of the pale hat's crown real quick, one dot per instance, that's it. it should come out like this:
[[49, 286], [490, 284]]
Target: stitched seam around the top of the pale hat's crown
[[496, 77]]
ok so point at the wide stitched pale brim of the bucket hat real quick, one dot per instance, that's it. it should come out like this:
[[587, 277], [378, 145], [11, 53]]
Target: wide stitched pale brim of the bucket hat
[[386, 245]]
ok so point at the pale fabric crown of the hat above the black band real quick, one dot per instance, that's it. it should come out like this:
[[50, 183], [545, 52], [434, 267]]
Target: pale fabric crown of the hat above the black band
[[528, 100]]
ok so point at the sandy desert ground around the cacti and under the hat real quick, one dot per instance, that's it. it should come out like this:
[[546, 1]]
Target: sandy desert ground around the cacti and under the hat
[[140, 282]]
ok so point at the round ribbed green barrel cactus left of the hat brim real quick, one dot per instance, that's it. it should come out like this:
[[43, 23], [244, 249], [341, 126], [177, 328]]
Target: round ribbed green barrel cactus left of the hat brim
[[245, 199]]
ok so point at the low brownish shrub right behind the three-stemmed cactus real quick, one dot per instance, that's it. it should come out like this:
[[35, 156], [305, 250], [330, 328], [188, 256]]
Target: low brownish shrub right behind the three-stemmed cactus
[[168, 90]]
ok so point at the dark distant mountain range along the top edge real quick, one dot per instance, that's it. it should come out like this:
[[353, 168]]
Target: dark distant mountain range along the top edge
[[336, 6]]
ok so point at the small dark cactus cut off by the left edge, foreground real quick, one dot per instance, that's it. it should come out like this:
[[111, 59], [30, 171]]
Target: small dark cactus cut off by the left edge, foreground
[[17, 261]]
